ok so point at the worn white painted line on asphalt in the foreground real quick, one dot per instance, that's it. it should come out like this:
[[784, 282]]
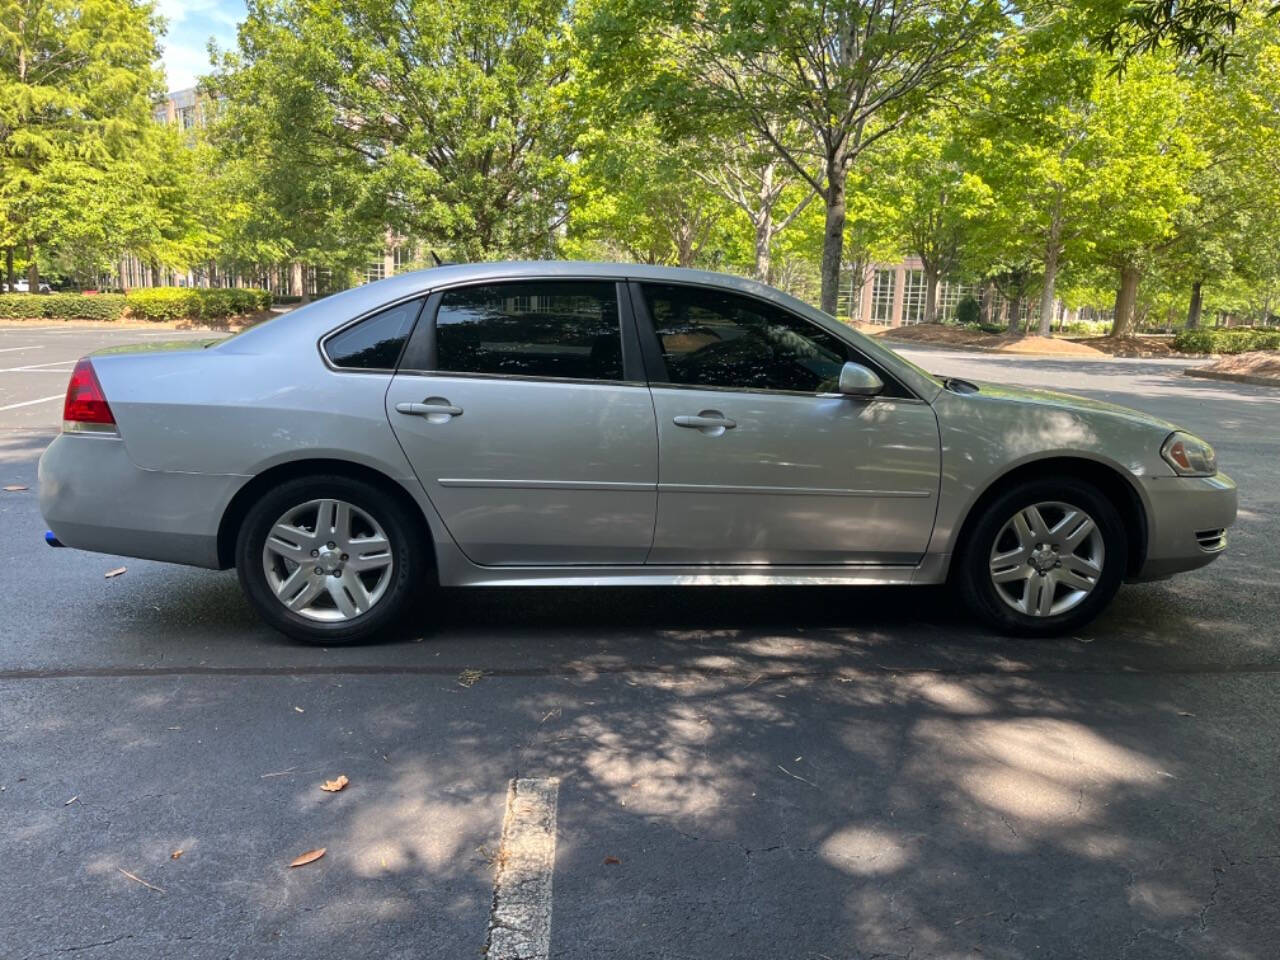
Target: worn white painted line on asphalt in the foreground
[[520, 924]]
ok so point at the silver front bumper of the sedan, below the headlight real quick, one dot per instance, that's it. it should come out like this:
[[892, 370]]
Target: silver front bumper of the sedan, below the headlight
[[1187, 523]]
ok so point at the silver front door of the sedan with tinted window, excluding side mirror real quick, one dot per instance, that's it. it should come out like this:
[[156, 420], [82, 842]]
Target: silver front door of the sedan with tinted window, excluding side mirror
[[760, 460]]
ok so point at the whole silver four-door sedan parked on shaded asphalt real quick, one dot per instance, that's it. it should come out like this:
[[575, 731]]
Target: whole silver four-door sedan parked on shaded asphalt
[[556, 424]]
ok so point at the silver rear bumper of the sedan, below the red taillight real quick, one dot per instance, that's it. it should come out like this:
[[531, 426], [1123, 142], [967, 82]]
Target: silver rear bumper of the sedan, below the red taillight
[[95, 499]]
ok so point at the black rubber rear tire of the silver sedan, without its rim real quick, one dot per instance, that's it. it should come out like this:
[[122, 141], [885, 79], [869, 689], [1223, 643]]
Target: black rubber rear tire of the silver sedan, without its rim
[[408, 546]]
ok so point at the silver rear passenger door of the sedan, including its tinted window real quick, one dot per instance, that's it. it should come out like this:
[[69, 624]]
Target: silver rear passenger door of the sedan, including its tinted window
[[524, 413]]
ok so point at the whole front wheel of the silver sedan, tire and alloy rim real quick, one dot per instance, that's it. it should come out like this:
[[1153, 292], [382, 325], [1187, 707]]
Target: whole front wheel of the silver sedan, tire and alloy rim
[[1044, 559]]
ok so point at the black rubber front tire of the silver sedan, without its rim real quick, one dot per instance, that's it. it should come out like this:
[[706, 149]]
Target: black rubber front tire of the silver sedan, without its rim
[[972, 570]]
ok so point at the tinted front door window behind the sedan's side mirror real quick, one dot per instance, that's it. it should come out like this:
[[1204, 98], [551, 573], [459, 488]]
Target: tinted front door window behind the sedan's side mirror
[[720, 340]]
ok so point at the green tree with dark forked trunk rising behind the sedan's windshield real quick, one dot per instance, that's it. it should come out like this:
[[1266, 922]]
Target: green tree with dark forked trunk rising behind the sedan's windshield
[[849, 71]]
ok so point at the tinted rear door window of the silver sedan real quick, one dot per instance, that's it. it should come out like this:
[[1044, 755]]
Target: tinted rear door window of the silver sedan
[[554, 328]]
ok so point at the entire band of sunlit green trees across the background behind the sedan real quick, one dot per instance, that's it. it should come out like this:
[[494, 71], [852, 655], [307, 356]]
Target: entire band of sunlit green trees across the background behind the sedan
[[1103, 154]]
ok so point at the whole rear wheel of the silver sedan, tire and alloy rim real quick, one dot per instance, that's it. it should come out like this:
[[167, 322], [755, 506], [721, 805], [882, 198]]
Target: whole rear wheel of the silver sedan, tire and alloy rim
[[330, 560]]
